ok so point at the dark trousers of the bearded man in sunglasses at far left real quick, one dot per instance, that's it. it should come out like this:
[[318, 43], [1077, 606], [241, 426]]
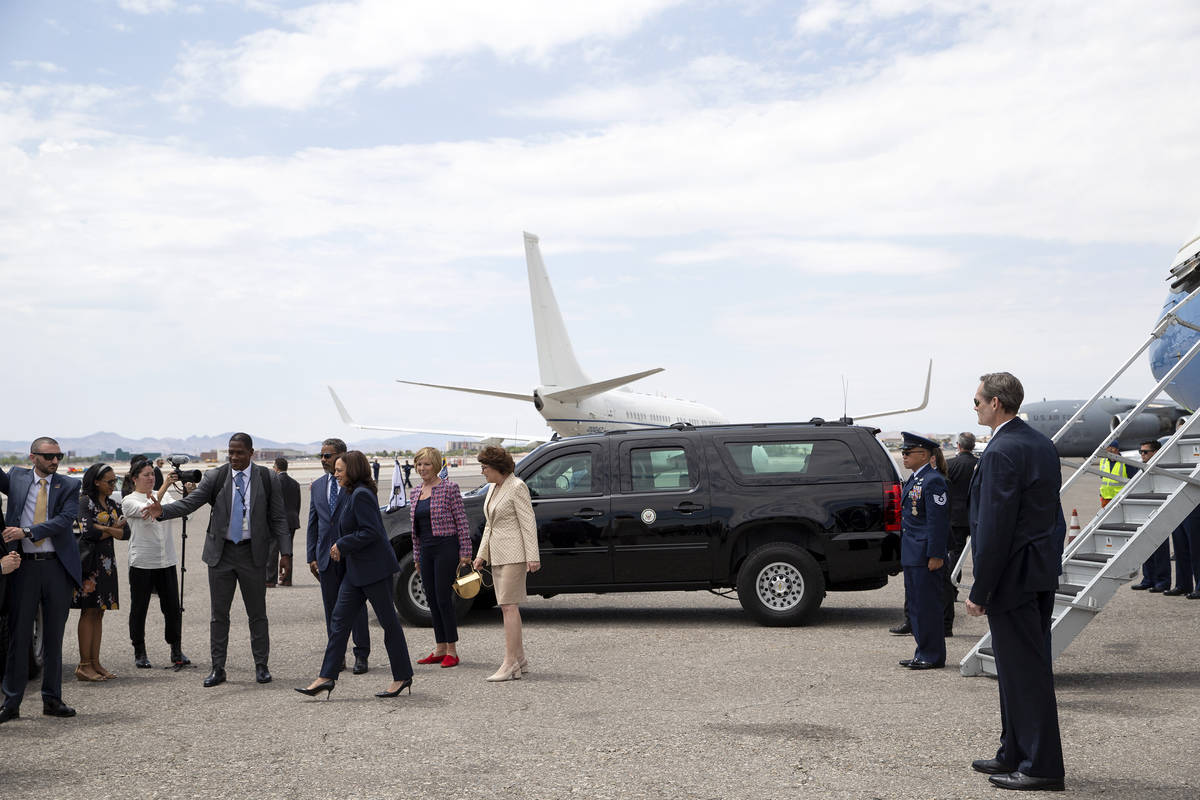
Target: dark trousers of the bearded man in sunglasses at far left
[[38, 582]]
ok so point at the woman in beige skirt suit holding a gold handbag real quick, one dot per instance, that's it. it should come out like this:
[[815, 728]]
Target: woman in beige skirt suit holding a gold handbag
[[511, 548]]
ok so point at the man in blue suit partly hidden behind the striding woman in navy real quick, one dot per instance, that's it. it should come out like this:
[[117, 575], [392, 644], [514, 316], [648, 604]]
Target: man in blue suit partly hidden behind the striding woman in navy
[[322, 536]]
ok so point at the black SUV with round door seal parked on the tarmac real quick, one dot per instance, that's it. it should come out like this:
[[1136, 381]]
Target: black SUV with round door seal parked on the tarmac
[[782, 513]]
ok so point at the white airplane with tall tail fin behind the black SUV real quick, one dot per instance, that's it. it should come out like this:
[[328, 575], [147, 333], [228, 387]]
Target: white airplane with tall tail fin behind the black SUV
[[571, 402]]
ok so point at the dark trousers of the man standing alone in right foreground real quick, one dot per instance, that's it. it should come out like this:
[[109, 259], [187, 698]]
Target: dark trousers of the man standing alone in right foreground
[[1029, 714]]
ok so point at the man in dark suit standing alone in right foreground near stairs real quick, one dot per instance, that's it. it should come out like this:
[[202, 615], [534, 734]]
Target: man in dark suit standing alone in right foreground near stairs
[[1017, 536]]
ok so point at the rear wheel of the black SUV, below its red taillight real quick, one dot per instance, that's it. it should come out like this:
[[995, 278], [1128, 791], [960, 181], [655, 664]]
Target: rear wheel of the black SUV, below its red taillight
[[781, 585]]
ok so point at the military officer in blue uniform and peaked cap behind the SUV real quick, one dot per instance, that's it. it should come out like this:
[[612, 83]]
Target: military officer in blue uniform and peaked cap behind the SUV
[[925, 533]]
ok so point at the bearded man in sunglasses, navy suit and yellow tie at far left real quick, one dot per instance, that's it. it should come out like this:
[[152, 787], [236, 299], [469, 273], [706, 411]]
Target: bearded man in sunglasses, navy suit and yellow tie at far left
[[43, 512]]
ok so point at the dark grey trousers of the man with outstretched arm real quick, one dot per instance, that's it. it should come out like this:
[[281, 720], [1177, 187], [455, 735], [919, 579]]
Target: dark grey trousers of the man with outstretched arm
[[237, 570]]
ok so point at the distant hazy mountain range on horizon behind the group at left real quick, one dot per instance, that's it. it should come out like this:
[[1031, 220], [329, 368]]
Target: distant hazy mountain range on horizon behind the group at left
[[104, 442]]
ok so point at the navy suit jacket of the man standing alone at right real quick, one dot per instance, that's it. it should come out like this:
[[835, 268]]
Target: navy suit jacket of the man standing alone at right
[[1017, 524]]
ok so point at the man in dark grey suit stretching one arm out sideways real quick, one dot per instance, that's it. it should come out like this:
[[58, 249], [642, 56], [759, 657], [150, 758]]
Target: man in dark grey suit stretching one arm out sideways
[[247, 515]]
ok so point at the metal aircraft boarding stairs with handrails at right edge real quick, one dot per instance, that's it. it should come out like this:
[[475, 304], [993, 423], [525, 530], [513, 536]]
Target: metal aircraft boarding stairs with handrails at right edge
[[1111, 550]]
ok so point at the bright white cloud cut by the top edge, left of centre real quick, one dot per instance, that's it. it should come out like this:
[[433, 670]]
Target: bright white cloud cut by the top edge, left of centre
[[329, 49]]
